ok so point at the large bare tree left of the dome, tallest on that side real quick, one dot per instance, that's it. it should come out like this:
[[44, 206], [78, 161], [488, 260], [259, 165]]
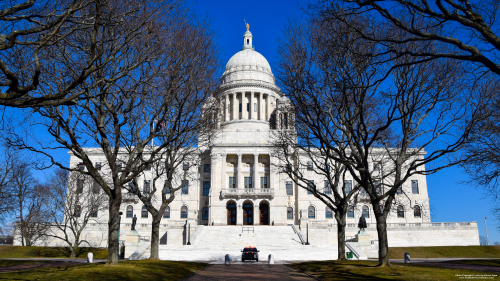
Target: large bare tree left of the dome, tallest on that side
[[163, 75]]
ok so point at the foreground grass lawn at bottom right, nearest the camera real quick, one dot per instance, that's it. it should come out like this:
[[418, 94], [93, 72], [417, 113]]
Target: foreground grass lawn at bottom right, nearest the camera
[[367, 270]]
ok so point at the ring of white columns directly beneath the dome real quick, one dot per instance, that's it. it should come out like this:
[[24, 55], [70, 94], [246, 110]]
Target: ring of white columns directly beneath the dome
[[248, 106]]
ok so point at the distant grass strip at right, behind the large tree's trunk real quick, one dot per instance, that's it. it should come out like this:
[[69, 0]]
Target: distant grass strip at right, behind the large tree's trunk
[[446, 252]]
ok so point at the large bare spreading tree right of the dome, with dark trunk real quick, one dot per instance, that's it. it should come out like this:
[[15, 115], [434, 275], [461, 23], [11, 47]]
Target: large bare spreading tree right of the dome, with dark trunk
[[364, 116]]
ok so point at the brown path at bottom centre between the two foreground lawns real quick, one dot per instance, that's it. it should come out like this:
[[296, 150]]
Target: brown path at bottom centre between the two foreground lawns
[[252, 272]]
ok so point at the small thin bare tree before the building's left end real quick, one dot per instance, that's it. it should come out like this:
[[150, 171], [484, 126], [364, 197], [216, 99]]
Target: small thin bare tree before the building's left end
[[72, 201]]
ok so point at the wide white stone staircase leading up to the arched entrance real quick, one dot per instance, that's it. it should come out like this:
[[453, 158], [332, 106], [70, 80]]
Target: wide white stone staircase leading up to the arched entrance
[[214, 242]]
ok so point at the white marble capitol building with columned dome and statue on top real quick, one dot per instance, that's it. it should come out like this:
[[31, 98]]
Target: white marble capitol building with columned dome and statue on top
[[237, 198]]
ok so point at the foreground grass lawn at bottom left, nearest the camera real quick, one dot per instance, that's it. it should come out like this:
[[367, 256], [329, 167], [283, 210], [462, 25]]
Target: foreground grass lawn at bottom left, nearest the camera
[[126, 270]]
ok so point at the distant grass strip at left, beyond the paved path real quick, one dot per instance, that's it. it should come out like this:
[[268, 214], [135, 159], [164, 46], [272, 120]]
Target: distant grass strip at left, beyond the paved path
[[10, 252]]
